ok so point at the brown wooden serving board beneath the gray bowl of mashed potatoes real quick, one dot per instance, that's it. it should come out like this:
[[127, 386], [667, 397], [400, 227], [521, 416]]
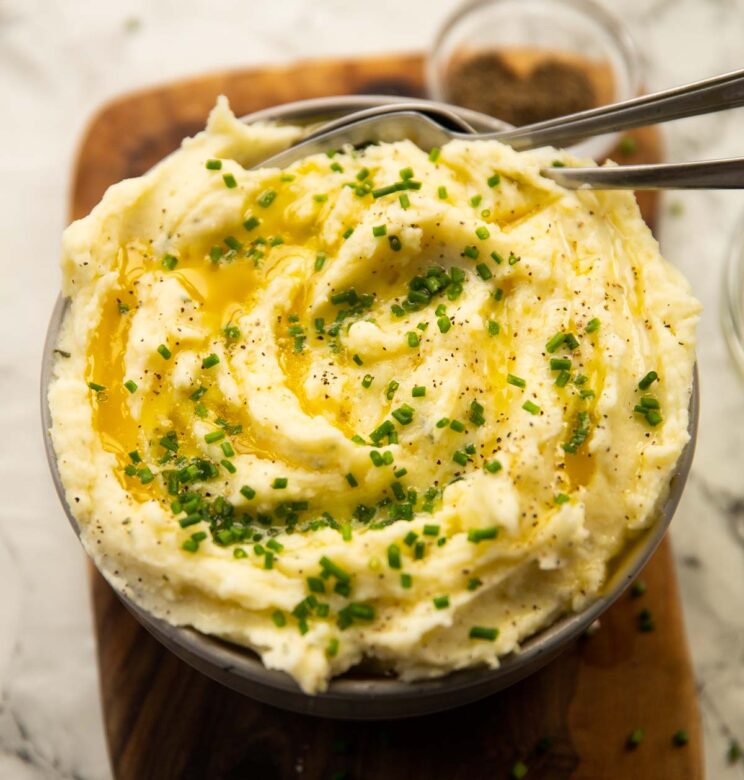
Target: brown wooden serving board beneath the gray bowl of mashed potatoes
[[164, 720]]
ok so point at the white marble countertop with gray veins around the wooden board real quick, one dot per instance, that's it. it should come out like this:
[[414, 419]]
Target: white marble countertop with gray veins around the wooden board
[[59, 59]]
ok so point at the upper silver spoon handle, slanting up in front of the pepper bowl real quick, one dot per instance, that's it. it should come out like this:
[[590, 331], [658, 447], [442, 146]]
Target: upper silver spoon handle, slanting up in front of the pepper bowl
[[700, 97]]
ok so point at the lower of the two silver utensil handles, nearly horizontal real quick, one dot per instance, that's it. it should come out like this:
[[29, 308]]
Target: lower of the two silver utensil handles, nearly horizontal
[[704, 175]]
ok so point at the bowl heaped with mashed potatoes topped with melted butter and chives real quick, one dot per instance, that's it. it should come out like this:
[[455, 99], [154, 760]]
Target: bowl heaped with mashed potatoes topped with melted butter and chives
[[375, 434]]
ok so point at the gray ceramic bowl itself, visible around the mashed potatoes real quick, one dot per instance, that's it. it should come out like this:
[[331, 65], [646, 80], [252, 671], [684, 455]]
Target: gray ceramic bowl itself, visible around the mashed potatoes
[[366, 694]]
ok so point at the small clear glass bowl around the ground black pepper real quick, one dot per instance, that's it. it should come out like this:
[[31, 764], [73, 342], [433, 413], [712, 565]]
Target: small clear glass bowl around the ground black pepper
[[528, 32]]
